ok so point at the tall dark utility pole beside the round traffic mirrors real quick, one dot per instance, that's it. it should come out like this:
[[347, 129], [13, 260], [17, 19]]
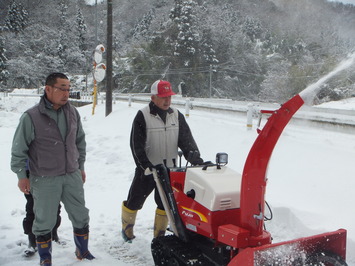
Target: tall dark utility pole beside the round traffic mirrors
[[109, 82]]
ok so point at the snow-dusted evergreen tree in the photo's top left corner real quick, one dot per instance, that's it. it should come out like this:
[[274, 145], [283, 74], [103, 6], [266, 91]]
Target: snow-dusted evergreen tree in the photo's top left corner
[[17, 18]]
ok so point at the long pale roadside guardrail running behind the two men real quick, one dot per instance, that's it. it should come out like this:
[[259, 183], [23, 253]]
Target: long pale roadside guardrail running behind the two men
[[329, 118]]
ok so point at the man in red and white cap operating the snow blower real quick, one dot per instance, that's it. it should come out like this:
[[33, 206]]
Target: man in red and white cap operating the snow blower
[[157, 132]]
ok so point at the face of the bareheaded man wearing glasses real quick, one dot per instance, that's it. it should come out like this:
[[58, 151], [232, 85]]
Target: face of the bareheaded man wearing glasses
[[58, 94]]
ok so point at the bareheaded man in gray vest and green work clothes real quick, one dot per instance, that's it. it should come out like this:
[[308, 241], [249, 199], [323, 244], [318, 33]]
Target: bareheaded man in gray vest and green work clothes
[[51, 137]]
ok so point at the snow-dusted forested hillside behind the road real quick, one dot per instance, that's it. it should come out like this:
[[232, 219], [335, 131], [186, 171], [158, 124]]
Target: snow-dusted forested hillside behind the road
[[265, 50]]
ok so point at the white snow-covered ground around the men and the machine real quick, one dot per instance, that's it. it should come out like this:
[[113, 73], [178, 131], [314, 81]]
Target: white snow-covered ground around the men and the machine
[[311, 183]]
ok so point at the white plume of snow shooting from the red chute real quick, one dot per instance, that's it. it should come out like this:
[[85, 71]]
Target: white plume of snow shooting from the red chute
[[311, 91]]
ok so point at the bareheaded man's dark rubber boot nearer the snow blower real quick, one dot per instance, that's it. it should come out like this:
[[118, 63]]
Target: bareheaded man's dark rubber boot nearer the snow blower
[[81, 239]]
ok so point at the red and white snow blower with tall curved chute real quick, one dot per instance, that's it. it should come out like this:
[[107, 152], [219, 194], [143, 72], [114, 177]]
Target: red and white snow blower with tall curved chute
[[216, 215]]
